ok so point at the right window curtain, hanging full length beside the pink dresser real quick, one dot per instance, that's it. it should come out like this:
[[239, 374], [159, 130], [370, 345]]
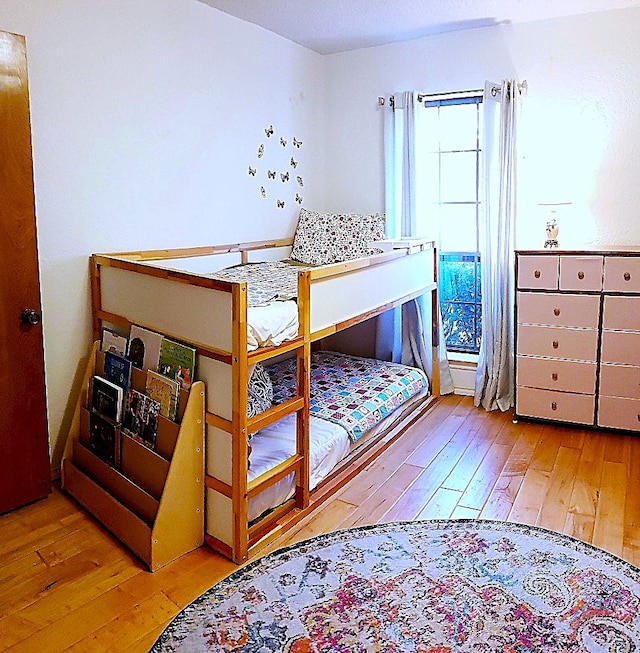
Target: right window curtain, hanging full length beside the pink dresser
[[494, 377]]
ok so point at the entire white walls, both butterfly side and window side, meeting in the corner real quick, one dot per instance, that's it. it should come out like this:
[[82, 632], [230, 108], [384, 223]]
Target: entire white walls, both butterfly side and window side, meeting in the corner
[[147, 113]]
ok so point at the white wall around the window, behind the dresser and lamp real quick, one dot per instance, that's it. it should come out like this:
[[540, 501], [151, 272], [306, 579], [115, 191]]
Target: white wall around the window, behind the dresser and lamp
[[579, 129]]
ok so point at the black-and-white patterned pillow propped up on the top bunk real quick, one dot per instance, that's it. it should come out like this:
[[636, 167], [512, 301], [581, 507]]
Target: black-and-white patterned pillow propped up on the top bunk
[[323, 238]]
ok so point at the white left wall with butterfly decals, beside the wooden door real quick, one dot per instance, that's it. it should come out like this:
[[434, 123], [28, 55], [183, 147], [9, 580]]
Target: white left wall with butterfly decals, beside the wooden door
[[146, 115]]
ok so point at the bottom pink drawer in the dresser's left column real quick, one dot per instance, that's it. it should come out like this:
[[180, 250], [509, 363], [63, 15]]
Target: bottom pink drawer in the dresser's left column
[[548, 404]]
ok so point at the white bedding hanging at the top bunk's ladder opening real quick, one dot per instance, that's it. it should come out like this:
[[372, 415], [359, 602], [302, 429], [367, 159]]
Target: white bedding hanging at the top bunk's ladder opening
[[271, 325]]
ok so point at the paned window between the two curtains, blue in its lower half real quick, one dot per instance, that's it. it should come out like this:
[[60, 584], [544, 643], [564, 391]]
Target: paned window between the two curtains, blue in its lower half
[[451, 152]]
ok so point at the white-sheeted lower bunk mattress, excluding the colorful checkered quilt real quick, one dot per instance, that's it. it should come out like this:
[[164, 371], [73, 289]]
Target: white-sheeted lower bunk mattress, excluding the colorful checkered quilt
[[329, 444]]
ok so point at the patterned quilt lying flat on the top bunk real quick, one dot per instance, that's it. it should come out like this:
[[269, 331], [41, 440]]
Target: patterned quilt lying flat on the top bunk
[[267, 281]]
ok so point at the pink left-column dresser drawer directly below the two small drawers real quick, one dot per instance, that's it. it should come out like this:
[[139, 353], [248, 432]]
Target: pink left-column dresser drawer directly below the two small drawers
[[558, 310]]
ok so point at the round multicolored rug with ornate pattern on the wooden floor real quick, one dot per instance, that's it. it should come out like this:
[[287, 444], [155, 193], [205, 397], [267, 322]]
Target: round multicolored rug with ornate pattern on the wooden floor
[[429, 586]]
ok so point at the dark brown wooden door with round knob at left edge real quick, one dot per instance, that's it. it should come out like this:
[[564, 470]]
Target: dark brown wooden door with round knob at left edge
[[25, 473]]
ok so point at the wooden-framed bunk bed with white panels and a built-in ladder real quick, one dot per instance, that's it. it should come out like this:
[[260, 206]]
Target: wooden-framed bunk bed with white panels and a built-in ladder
[[186, 295]]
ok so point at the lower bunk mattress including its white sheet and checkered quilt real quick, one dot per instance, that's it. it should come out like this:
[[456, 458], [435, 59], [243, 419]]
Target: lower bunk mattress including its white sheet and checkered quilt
[[353, 399]]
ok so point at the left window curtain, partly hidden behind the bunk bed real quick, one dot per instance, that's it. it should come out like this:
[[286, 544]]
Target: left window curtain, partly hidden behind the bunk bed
[[401, 333]]
